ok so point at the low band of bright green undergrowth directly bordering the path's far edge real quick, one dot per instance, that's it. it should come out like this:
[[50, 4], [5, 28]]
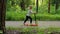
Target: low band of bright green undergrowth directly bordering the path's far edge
[[21, 16]]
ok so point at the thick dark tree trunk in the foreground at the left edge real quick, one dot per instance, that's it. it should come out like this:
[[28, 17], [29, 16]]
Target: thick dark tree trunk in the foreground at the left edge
[[2, 15]]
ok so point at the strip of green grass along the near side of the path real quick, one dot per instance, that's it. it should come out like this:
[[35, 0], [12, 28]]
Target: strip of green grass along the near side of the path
[[38, 29]]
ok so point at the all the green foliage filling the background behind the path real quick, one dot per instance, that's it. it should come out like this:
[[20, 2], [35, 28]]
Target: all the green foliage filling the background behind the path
[[15, 13]]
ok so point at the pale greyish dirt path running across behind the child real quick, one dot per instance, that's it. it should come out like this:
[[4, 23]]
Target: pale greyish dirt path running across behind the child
[[40, 23]]
